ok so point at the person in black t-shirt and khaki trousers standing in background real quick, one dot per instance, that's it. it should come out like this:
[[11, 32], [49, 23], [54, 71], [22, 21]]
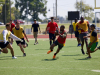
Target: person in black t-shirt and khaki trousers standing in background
[[35, 27]]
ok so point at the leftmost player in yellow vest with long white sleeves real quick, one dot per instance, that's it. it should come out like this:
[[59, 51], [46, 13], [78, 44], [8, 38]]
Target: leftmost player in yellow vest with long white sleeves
[[4, 43]]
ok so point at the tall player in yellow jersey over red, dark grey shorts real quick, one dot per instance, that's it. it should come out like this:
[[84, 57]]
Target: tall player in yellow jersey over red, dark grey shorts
[[83, 26]]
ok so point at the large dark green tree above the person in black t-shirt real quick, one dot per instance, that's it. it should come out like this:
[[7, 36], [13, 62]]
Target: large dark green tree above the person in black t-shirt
[[36, 7]]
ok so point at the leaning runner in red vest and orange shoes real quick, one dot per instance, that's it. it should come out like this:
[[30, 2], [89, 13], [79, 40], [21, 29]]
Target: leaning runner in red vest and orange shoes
[[60, 41]]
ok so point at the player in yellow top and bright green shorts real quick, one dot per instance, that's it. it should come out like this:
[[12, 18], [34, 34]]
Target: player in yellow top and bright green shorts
[[93, 41]]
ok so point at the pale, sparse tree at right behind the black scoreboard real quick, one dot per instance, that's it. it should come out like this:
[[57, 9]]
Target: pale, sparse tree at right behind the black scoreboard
[[87, 11]]
